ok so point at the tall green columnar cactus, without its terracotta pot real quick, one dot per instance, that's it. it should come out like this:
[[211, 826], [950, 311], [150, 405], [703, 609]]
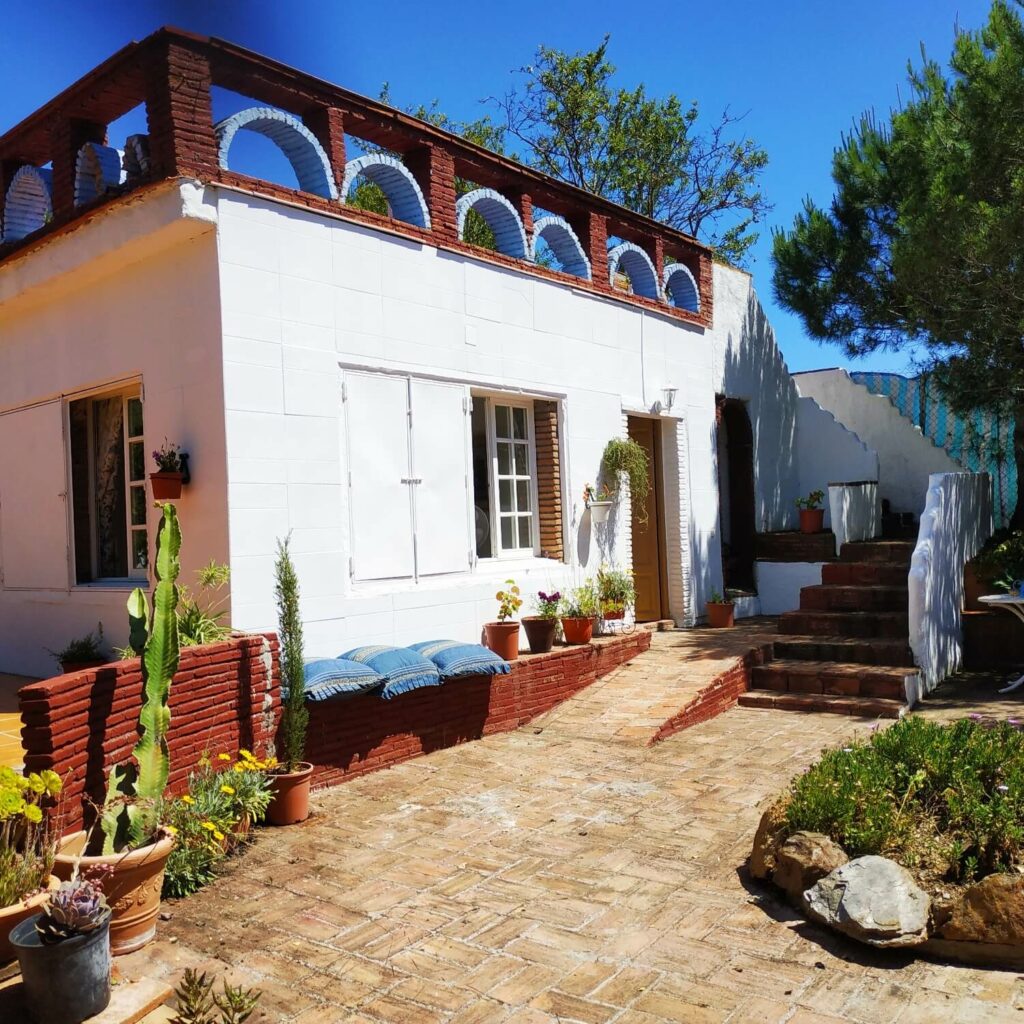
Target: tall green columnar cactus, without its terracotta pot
[[132, 812]]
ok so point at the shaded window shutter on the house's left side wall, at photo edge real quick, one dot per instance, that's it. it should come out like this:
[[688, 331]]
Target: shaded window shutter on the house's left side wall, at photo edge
[[33, 499]]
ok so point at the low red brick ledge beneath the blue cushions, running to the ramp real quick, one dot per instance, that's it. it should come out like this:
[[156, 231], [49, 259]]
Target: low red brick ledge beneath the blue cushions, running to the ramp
[[352, 738]]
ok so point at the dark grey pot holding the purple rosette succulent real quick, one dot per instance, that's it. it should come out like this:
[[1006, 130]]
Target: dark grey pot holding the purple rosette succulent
[[66, 983]]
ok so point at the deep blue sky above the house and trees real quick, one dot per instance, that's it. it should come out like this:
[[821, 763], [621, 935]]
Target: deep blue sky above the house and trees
[[801, 70]]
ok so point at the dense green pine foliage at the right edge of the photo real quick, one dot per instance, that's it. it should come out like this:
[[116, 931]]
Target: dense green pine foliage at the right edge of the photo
[[922, 243]]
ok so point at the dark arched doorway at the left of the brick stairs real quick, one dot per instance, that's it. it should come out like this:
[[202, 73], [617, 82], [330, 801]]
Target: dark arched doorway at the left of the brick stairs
[[736, 490]]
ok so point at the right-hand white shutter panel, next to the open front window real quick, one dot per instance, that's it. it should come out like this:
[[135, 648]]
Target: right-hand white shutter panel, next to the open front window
[[441, 462]]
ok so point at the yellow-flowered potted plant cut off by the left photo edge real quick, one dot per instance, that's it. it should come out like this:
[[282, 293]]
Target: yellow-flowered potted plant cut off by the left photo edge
[[28, 847]]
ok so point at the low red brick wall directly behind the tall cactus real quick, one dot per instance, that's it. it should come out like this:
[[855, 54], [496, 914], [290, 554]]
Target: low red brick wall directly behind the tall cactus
[[225, 697]]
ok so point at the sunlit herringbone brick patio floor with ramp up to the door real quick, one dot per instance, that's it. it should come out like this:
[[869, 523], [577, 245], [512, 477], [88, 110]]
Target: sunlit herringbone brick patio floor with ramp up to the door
[[560, 873]]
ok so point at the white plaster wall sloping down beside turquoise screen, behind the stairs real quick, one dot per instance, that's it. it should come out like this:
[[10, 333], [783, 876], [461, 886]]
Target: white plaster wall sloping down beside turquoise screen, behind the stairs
[[907, 458]]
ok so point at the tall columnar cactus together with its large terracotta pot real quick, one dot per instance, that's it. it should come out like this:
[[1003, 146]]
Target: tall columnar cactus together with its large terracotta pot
[[132, 839]]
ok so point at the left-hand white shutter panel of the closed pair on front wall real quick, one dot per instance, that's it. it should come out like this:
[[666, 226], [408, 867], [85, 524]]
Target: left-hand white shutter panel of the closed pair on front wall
[[377, 437]]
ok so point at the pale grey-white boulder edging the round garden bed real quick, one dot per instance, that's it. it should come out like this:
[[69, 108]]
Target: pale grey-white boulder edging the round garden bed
[[872, 900]]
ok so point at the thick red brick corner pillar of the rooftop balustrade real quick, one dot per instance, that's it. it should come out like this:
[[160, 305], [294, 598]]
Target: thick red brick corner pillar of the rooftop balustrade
[[180, 114]]
